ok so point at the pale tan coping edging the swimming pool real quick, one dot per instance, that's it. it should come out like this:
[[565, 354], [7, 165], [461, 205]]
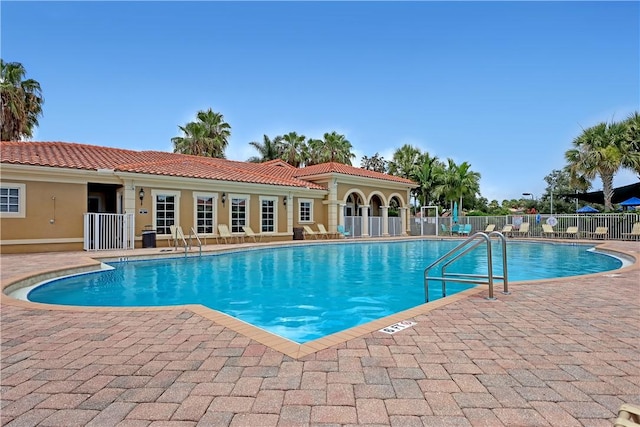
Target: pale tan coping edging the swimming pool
[[88, 262]]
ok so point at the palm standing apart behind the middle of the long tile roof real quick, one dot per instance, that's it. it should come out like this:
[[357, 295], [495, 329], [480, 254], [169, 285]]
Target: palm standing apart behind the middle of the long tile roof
[[208, 136]]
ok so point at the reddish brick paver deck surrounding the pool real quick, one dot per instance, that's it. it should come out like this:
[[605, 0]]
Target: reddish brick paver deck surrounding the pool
[[553, 353]]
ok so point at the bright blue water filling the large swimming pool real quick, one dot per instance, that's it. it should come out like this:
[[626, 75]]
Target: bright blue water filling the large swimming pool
[[306, 292]]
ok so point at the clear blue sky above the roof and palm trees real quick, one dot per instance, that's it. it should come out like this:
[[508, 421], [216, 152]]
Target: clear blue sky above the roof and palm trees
[[505, 86]]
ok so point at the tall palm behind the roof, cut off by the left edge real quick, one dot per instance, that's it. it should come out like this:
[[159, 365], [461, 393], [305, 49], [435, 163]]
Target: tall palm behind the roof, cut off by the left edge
[[21, 102]]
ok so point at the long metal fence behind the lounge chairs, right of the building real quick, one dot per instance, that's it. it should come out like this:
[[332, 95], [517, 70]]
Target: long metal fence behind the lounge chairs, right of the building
[[618, 225]]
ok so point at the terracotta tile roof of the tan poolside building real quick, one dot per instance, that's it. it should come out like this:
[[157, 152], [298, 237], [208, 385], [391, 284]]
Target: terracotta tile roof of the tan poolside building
[[92, 157]]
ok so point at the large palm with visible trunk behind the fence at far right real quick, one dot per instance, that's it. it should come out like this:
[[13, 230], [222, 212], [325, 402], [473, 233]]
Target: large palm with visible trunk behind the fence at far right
[[601, 150]]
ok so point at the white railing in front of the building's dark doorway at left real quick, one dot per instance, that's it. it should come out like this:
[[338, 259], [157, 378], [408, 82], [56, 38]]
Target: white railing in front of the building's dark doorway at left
[[104, 232]]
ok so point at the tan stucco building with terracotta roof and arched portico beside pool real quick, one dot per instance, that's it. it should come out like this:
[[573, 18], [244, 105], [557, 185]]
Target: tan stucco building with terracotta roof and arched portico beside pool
[[57, 196]]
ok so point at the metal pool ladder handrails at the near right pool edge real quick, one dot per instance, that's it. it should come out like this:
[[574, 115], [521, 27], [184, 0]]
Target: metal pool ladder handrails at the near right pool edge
[[481, 279]]
